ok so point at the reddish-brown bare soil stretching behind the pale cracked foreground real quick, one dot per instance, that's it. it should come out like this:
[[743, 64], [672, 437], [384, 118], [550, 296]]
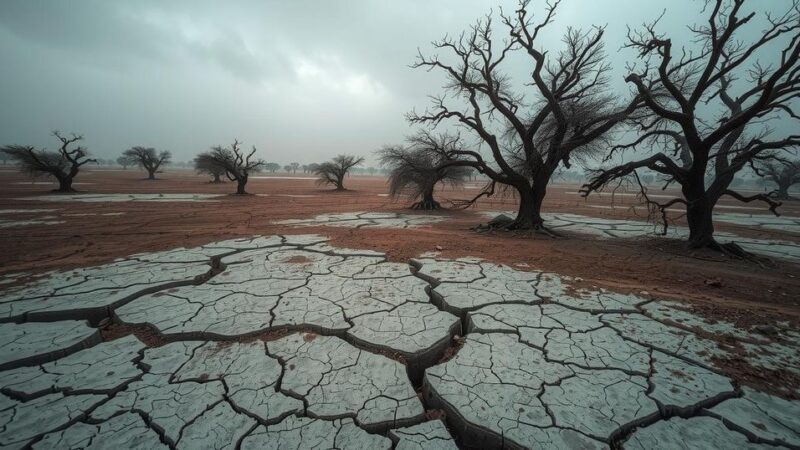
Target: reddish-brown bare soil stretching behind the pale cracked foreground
[[747, 292]]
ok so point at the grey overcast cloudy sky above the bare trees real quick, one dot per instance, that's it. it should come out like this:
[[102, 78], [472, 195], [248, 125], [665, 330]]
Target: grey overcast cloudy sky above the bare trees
[[301, 80]]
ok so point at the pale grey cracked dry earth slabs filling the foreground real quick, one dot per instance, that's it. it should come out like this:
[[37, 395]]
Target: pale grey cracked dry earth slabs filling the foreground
[[288, 342]]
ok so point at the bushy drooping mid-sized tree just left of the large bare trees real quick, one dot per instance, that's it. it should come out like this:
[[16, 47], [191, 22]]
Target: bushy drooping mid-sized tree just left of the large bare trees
[[416, 168]]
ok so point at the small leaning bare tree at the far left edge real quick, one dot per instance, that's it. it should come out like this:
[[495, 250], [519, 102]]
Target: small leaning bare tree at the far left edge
[[62, 165]]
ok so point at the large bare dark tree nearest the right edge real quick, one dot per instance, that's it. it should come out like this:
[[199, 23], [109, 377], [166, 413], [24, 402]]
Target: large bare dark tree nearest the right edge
[[710, 116]]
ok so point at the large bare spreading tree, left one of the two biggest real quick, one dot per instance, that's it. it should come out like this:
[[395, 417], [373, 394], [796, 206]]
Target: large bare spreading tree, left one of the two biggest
[[563, 111]]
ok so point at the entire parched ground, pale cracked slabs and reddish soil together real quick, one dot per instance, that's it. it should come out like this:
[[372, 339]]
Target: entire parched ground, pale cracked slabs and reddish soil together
[[168, 313]]
